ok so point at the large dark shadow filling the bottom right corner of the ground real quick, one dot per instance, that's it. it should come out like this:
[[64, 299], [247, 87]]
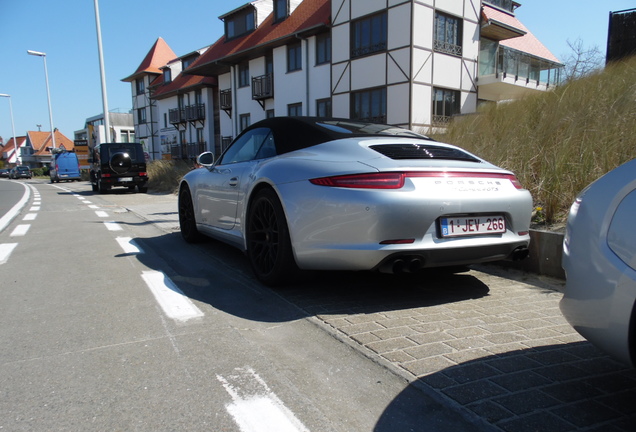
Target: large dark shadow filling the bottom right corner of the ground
[[548, 388]]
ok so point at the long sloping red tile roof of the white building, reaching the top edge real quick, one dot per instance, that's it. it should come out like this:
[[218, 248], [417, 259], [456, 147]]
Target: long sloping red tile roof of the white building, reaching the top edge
[[309, 15]]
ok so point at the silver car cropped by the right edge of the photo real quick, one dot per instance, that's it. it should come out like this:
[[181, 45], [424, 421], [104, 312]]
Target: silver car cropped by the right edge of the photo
[[599, 259]]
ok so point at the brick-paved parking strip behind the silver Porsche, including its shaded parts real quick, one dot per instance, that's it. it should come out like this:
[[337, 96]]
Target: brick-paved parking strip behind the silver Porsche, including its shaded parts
[[489, 341]]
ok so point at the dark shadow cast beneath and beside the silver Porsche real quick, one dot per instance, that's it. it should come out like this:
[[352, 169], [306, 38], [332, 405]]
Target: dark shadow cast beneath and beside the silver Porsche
[[219, 275]]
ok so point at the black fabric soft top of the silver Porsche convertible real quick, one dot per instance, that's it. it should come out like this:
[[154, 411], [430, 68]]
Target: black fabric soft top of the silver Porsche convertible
[[296, 133]]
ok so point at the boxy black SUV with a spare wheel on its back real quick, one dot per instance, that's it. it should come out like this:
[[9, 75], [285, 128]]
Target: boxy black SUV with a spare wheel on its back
[[118, 164]]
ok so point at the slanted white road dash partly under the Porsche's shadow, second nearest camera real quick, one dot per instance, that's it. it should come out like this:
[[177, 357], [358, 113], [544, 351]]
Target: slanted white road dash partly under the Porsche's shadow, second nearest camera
[[171, 299]]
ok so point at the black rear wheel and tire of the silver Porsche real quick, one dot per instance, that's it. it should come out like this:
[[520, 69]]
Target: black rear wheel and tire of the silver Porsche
[[268, 243]]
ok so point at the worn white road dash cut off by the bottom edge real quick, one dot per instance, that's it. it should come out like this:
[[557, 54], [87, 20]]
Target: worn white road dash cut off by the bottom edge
[[255, 408]]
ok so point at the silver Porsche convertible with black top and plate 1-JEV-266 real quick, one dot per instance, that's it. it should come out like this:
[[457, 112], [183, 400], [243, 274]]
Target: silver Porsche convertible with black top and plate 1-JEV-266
[[330, 194]]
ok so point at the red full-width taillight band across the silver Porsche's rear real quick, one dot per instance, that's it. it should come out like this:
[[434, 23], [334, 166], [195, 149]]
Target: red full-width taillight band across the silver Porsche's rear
[[395, 180]]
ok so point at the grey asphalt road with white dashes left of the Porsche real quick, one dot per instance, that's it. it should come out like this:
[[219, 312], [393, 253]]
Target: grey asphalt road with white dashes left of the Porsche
[[109, 321]]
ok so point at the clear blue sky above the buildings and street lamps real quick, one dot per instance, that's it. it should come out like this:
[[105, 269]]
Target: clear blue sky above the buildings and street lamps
[[66, 32]]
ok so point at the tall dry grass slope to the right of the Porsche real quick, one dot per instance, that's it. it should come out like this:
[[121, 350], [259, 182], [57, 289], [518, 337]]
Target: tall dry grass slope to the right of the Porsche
[[557, 142]]
